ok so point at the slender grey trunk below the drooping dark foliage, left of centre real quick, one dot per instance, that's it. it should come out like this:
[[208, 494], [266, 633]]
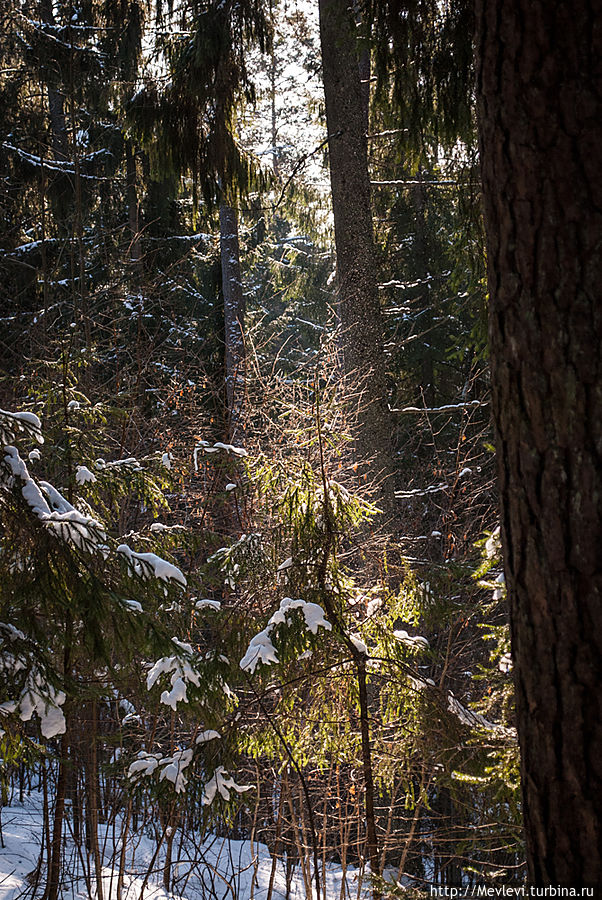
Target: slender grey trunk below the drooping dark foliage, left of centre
[[234, 321]]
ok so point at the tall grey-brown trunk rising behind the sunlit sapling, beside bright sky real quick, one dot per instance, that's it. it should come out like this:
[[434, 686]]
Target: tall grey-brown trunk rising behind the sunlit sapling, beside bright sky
[[359, 307]]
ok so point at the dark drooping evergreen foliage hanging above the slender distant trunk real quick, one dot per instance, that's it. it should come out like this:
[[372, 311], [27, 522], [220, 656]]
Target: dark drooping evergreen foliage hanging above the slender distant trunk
[[191, 122]]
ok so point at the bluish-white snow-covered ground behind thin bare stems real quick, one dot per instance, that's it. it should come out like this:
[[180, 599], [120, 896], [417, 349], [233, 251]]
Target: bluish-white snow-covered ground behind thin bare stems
[[215, 868]]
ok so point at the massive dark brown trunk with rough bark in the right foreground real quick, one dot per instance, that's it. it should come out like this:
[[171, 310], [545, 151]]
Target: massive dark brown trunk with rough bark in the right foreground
[[540, 106]]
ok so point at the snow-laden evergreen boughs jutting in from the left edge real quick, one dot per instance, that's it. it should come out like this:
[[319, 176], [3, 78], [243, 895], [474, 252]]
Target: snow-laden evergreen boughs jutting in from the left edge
[[71, 597]]
